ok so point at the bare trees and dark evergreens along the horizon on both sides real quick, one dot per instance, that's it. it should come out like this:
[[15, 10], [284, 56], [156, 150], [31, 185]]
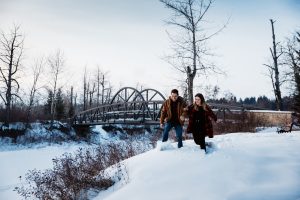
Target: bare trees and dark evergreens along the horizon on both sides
[[49, 97]]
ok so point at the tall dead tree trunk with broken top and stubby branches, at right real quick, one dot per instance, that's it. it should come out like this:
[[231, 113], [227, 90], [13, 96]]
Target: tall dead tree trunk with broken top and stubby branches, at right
[[274, 69]]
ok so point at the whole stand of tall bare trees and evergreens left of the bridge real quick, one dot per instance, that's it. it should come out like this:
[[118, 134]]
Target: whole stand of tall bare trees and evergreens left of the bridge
[[41, 90]]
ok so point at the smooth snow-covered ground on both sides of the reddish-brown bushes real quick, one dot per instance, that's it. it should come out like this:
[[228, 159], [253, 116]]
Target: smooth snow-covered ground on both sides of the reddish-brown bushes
[[240, 166]]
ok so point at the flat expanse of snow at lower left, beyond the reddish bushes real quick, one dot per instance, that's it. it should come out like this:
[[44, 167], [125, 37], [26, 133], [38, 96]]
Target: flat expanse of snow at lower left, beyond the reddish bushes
[[17, 162]]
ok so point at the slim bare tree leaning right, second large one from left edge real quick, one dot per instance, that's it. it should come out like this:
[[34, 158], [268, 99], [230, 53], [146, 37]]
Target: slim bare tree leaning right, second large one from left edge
[[37, 70]]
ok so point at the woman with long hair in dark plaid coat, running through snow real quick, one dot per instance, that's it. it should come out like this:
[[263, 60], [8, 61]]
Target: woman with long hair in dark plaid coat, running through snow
[[200, 116]]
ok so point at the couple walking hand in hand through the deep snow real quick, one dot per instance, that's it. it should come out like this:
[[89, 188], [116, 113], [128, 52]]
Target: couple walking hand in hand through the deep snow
[[174, 111]]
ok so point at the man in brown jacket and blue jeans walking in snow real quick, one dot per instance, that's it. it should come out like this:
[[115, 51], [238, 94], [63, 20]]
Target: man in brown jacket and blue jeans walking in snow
[[172, 115]]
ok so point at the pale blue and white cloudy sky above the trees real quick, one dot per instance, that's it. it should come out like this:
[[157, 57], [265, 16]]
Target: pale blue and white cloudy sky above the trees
[[128, 39]]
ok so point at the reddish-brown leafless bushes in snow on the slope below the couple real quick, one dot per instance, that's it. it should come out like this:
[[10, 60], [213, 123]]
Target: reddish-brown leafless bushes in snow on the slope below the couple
[[74, 175]]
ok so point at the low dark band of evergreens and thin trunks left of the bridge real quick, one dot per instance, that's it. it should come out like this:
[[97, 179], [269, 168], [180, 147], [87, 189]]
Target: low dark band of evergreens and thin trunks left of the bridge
[[66, 106]]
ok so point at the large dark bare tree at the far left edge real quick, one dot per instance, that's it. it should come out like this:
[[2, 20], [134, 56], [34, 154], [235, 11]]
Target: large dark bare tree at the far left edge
[[11, 50]]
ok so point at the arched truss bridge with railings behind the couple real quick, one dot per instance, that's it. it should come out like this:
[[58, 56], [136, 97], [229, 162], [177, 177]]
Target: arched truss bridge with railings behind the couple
[[130, 106]]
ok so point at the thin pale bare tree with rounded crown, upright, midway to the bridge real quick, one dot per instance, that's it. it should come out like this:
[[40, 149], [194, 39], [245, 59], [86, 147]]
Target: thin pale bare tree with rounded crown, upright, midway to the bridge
[[56, 65]]
